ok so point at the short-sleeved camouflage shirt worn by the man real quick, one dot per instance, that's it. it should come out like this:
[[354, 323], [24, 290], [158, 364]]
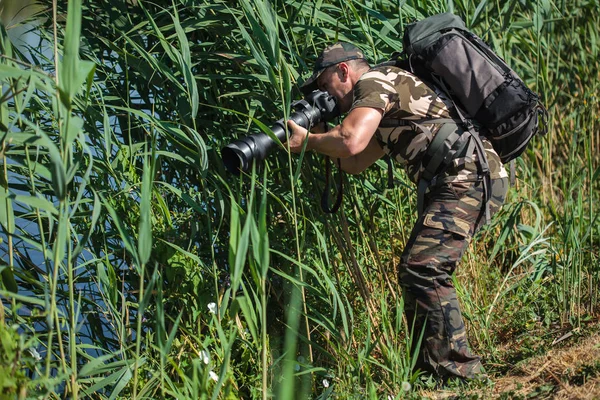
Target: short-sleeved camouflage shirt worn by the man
[[403, 98]]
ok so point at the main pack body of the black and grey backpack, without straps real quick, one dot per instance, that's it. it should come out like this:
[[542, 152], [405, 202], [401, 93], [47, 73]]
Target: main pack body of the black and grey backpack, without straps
[[441, 50]]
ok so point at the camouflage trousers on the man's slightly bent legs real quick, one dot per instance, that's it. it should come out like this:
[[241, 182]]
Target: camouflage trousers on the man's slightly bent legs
[[452, 214]]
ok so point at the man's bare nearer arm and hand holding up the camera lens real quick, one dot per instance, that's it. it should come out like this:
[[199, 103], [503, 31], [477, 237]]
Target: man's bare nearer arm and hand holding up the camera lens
[[346, 140]]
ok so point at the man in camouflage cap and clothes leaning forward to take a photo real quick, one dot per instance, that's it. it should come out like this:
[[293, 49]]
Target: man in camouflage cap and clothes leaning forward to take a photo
[[381, 102]]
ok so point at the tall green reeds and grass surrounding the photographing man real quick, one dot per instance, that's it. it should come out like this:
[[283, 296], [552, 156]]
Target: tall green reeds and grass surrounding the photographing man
[[134, 266]]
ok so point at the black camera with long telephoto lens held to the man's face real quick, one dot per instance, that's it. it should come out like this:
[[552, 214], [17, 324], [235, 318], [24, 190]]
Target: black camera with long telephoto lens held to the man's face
[[316, 107]]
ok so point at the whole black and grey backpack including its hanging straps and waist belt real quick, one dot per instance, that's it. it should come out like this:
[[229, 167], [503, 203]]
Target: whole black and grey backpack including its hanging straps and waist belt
[[489, 97]]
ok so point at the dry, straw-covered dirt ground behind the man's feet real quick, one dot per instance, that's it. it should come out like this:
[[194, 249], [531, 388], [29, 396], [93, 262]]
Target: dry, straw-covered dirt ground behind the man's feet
[[570, 371]]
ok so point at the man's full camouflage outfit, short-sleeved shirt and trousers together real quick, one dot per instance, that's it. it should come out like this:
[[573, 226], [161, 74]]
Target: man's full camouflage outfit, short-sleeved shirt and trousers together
[[453, 211]]
